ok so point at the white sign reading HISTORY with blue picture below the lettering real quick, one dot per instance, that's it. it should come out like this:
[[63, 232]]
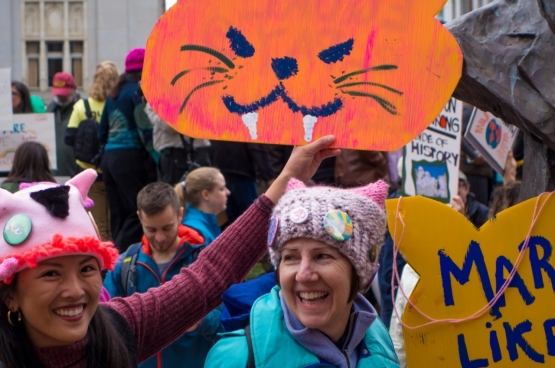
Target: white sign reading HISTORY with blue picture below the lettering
[[431, 160]]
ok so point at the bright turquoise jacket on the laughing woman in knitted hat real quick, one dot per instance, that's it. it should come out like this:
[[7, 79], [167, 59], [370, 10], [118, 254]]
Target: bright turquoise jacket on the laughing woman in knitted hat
[[273, 345]]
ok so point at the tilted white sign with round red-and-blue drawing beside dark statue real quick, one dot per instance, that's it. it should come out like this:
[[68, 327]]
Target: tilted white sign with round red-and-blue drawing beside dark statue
[[492, 137]]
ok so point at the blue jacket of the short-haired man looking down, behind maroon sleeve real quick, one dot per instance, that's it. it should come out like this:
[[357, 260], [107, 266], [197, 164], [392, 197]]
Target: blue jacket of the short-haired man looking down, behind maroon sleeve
[[191, 349]]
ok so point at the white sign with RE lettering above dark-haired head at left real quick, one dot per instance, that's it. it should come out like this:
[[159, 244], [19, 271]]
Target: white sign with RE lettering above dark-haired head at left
[[28, 127]]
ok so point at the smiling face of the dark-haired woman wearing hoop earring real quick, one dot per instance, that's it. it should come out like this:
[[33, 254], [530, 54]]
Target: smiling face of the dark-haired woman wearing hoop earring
[[57, 299]]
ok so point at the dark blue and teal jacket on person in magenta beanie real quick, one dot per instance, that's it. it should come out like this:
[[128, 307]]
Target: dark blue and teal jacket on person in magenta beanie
[[118, 128]]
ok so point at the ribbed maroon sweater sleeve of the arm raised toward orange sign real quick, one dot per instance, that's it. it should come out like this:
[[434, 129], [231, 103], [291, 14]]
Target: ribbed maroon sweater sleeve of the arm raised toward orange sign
[[162, 314]]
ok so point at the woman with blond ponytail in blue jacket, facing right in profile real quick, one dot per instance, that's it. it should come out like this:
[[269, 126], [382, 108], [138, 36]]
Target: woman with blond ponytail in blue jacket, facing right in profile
[[204, 194]]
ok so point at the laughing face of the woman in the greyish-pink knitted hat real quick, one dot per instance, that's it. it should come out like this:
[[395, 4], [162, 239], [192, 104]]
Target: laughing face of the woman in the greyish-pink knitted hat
[[315, 281]]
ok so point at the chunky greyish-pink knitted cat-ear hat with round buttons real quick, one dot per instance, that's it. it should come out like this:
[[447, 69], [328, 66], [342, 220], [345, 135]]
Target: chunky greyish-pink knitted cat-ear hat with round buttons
[[351, 220]]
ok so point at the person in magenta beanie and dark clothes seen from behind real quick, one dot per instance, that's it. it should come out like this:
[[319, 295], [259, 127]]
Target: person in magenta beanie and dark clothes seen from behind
[[125, 161]]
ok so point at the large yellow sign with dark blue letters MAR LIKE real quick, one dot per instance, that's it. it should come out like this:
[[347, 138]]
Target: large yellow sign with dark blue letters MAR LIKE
[[461, 269]]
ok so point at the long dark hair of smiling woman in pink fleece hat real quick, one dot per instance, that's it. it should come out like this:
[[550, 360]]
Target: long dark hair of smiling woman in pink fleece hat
[[106, 348]]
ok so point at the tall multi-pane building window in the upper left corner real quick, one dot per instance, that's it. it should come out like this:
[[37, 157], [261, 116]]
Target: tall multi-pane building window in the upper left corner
[[54, 34]]
